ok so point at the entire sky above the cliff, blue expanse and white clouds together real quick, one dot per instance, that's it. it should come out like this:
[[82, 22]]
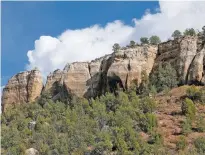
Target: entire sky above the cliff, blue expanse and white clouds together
[[49, 35]]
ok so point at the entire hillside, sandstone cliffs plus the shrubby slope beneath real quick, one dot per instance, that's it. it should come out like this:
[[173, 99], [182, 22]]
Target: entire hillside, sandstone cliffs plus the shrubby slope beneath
[[139, 100]]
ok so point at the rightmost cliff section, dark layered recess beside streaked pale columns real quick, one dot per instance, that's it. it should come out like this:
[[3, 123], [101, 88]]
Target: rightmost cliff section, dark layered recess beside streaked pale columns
[[186, 54]]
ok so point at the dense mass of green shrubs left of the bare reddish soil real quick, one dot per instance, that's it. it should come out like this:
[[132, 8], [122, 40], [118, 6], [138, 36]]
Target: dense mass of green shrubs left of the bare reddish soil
[[106, 124]]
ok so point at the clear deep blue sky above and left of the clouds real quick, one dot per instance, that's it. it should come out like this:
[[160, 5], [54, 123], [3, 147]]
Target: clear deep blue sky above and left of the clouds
[[25, 22]]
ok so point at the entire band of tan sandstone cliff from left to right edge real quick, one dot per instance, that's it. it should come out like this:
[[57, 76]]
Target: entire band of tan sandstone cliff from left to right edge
[[119, 69]]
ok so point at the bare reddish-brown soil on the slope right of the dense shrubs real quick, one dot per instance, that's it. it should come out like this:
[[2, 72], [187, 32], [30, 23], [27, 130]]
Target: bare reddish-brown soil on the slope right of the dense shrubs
[[170, 117]]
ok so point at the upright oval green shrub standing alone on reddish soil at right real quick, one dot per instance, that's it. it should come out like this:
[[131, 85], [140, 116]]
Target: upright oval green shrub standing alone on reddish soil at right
[[188, 108]]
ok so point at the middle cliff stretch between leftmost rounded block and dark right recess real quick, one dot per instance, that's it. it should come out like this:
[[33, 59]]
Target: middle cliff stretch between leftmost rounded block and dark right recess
[[90, 79]]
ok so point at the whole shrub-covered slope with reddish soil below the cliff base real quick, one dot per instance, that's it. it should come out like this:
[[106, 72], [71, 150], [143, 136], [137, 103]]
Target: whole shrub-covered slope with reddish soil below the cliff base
[[126, 124]]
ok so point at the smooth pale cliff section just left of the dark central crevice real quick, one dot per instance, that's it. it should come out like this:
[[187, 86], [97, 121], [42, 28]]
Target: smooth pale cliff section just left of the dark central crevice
[[82, 79]]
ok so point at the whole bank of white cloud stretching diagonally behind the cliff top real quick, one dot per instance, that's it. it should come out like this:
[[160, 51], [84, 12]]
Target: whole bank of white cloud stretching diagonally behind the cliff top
[[85, 44]]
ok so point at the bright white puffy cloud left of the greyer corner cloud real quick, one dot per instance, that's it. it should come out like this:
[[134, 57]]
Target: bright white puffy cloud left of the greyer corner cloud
[[77, 45]]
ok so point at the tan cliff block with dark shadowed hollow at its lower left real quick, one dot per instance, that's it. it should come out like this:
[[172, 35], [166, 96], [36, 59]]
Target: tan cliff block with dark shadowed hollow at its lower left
[[129, 63]]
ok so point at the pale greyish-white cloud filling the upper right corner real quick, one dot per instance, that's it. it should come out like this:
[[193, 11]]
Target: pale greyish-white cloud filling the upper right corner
[[173, 15]]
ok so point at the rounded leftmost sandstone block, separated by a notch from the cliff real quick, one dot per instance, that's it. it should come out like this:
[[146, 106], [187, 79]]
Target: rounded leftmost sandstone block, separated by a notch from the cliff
[[23, 87]]
